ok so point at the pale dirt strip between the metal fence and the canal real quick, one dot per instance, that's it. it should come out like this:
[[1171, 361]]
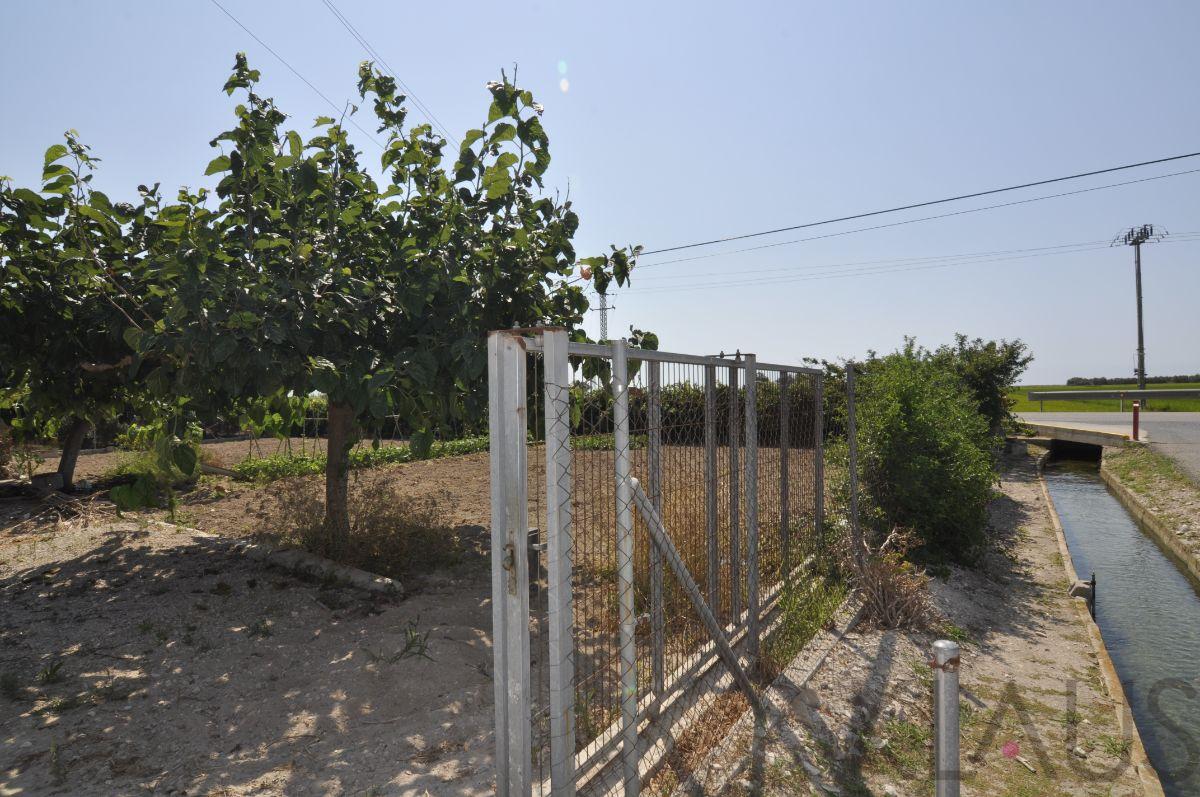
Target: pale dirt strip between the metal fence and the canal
[[1036, 717]]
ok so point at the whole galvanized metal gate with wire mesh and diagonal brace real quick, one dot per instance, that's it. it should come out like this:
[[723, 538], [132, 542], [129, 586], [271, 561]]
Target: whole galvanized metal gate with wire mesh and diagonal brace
[[649, 512]]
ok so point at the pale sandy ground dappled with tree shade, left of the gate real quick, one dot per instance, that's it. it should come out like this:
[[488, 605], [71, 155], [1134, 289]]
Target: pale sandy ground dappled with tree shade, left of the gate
[[143, 660]]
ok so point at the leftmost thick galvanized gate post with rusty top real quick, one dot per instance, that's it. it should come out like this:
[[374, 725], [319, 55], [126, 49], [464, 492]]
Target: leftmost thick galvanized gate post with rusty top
[[511, 565]]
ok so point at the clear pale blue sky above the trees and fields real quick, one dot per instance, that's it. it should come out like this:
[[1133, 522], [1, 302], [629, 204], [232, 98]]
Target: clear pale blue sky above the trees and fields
[[683, 122]]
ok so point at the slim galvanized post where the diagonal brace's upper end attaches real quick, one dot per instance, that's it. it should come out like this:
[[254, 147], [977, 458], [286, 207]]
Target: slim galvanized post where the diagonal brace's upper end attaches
[[626, 568]]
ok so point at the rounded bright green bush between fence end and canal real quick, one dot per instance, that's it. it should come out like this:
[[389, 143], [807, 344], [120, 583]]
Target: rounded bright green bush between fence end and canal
[[926, 452]]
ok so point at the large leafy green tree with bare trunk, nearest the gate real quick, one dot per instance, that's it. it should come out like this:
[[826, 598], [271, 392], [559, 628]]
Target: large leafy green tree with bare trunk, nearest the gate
[[309, 275]]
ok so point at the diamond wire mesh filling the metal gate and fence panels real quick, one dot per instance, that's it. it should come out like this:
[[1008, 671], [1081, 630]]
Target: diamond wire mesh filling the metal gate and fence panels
[[692, 436]]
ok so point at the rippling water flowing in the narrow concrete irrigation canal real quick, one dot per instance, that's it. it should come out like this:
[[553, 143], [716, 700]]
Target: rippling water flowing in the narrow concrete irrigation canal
[[1149, 614]]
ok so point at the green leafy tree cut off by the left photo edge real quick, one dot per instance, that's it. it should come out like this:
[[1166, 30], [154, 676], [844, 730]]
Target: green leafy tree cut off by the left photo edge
[[70, 286]]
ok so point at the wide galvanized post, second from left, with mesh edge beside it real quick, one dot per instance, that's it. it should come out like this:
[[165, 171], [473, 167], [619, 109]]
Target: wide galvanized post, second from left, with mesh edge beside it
[[559, 567]]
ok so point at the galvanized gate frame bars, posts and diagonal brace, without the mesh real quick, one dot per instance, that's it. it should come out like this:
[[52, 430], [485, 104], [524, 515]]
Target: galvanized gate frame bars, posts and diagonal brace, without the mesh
[[508, 423]]
